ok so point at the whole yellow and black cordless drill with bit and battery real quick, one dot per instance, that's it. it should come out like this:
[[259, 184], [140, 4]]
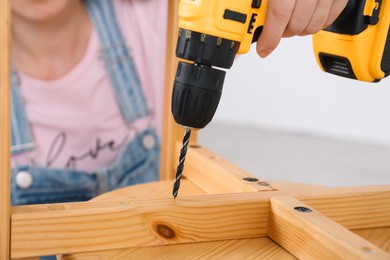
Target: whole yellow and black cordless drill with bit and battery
[[212, 32]]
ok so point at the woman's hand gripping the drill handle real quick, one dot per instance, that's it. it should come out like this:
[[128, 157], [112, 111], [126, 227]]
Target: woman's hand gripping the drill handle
[[287, 18]]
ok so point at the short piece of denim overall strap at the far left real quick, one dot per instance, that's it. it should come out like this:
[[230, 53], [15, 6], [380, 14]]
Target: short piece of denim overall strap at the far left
[[21, 137]]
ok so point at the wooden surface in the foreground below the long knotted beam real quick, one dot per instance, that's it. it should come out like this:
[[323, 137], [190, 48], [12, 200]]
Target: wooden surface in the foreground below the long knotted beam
[[255, 248]]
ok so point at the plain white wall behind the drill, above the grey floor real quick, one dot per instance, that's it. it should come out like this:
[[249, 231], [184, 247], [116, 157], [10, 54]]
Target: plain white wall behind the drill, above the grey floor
[[289, 92]]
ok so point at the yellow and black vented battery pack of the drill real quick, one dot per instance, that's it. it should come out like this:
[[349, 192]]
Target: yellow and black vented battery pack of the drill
[[357, 44]]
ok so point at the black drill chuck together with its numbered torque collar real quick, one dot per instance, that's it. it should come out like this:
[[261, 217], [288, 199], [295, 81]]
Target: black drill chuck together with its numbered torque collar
[[198, 86]]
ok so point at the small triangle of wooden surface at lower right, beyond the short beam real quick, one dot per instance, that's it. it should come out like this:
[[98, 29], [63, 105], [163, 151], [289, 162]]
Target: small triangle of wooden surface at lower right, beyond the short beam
[[378, 236]]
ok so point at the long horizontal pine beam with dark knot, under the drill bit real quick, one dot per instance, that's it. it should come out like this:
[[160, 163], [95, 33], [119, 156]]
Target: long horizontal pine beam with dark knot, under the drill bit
[[90, 226]]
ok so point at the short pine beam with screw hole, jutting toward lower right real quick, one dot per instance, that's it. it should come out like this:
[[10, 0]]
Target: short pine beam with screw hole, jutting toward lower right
[[308, 234]]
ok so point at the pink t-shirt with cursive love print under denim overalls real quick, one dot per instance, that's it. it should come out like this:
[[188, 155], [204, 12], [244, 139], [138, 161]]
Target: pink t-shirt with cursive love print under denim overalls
[[75, 120]]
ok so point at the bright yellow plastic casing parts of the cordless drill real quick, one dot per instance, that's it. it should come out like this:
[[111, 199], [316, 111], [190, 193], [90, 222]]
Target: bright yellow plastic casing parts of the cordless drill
[[364, 51]]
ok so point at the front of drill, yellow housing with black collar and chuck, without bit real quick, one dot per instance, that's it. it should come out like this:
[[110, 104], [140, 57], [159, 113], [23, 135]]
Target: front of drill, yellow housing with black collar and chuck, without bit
[[211, 33]]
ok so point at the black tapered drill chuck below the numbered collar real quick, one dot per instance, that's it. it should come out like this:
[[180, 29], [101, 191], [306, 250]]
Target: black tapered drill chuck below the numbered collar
[[196, 94]]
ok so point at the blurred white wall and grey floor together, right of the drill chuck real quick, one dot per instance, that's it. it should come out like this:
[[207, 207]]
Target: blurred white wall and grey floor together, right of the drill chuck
[[284, 118]]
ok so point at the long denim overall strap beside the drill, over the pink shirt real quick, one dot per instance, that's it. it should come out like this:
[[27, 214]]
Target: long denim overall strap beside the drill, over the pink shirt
[[118, 60]]
